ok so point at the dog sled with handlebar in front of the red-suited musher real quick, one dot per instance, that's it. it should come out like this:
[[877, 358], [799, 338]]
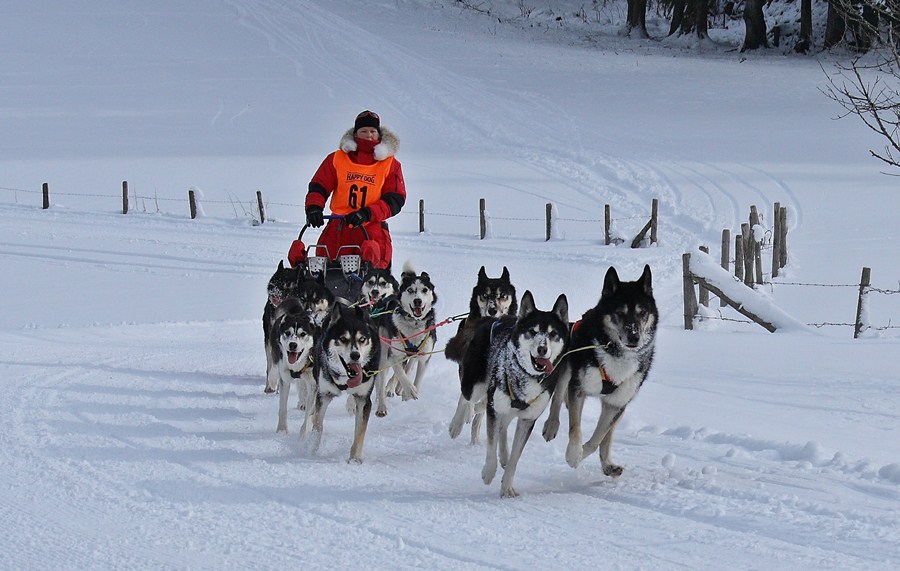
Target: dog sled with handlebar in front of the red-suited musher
[[342, 271]]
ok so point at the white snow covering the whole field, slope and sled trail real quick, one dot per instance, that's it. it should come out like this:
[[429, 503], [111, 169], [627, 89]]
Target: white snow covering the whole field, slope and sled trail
[[134, 431]]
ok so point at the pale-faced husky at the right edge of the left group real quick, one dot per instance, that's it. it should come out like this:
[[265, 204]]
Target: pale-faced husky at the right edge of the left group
[[407, 332]]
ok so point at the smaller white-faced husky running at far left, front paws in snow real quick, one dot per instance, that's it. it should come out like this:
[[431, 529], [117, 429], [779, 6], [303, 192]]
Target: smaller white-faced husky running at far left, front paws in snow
[[291, 341]]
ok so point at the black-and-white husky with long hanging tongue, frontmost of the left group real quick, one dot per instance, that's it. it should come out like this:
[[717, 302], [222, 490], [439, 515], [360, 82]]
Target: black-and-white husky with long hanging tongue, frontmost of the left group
[[346, 359]]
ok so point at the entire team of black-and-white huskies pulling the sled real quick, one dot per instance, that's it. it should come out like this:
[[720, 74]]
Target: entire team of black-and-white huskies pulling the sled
[[514, 360]]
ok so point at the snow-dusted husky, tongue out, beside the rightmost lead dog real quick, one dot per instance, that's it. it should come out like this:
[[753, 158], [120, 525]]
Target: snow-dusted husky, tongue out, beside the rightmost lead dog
[[518, 378]]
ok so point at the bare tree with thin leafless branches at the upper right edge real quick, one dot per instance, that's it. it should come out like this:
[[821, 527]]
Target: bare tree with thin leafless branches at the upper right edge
[[868, 85]]
